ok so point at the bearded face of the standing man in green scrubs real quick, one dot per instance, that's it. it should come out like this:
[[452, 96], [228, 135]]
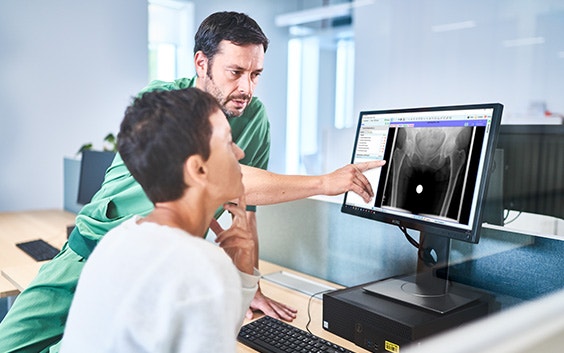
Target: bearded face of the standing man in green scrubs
[[232, 75]]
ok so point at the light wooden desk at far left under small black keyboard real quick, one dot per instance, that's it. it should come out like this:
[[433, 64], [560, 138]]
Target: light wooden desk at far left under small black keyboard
[[16, 227]]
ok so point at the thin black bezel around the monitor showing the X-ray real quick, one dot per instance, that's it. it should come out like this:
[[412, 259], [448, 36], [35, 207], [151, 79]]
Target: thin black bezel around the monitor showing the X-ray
[[471, 235]]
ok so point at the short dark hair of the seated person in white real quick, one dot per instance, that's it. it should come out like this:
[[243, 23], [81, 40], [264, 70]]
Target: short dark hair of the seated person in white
[[160, 130]]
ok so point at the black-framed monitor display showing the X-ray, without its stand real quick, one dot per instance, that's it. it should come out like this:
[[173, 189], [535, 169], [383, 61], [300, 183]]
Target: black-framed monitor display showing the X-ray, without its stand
[[437, 167]]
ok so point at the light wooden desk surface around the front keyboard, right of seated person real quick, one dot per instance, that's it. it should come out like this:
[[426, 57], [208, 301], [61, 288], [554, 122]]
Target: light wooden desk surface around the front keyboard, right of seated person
[[299, 301]]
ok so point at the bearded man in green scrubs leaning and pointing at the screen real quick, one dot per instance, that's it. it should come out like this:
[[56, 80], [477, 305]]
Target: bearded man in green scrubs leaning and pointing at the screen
[[229, 55]]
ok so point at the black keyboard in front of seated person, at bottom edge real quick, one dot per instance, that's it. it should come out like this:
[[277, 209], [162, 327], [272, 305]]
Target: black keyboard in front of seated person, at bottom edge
[[269, 335]]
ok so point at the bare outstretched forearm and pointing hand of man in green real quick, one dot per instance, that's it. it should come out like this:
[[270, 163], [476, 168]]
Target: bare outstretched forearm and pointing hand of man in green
[[266, 188]]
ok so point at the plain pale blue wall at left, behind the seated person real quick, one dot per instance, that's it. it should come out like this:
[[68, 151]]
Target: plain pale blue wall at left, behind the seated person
[[68, 70]]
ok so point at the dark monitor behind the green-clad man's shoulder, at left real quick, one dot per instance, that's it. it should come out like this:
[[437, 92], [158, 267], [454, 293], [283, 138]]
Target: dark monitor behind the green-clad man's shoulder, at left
[[92, 171]]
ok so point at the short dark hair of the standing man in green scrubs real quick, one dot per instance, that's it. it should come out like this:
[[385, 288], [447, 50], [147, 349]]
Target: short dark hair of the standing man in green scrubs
[[235, 27]]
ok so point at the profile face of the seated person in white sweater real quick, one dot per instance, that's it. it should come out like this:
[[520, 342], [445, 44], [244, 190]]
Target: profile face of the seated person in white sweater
[[223, 163]]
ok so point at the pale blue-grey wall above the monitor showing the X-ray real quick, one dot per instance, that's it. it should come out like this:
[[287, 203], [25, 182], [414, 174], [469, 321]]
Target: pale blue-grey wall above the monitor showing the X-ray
[[505, 51]]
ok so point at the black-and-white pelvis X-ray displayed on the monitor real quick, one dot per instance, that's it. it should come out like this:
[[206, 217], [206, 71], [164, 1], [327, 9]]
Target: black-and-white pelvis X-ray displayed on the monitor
[[429, 170]]
